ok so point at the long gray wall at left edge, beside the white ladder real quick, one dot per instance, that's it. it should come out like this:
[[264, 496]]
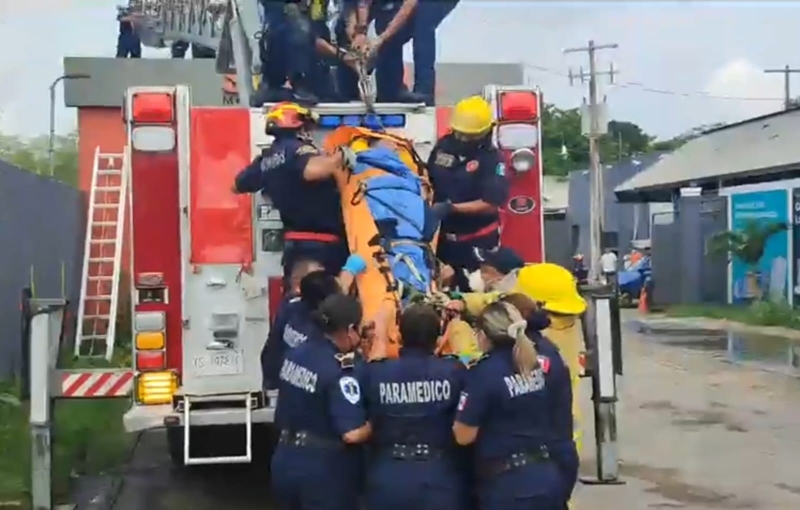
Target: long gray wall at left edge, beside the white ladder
[[41, 225]]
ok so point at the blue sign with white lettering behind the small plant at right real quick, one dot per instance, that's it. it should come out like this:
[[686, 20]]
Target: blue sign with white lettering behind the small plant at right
[[770, 279]]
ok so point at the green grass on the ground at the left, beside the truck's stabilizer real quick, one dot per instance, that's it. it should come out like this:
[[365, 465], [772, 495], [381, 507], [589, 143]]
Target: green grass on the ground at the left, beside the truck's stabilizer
[[88, 438]]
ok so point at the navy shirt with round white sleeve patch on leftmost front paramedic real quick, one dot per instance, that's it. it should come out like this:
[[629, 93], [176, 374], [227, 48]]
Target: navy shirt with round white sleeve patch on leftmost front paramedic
[[317, 395]]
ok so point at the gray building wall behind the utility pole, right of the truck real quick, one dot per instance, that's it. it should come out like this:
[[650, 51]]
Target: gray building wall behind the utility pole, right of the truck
[[622, 219]]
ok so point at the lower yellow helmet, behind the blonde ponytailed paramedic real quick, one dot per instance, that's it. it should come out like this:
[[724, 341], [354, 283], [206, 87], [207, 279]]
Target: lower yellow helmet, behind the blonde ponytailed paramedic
[[552, 285]]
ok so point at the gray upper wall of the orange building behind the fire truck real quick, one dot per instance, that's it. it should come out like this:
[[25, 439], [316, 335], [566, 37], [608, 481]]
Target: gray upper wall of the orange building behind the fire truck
[[109, 77]]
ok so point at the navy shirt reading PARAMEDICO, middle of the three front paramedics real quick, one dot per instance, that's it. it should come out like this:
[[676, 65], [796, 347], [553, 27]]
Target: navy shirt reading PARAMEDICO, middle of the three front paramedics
[[413, 399]]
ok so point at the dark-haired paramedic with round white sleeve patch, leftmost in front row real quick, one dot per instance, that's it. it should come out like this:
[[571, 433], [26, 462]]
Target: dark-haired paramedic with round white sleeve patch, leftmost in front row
[[321, 415]]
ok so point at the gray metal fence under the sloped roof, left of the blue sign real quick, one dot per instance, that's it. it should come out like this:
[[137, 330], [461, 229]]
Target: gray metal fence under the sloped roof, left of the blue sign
[[672, 261]]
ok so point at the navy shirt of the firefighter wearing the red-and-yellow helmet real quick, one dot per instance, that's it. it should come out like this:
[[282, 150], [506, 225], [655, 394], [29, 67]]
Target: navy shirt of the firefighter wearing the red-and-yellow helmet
[[304, 206]]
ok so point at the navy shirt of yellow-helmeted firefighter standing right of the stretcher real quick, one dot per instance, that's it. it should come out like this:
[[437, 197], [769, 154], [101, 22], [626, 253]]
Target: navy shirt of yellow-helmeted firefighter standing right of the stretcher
[[462, 173]]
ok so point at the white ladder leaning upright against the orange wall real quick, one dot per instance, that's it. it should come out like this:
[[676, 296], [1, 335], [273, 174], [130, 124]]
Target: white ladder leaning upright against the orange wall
[[102, 257]]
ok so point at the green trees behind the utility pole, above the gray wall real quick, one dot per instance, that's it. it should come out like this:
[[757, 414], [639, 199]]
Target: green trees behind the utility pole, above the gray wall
[[565, 148]]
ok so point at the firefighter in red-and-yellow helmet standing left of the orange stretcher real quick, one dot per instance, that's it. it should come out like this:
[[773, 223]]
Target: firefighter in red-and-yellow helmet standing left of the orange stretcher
[[298, 179]]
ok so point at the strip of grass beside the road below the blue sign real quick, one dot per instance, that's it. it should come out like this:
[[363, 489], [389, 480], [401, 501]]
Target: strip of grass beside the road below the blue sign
[[761, 313]]
